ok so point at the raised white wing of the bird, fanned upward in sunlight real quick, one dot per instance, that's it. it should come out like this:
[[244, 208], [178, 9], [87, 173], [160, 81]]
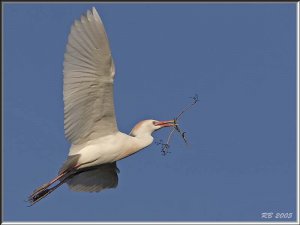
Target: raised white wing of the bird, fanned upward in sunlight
[[88, 81]]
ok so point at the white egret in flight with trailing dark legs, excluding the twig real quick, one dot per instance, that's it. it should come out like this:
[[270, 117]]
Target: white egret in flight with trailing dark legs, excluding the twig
[[89, 117]]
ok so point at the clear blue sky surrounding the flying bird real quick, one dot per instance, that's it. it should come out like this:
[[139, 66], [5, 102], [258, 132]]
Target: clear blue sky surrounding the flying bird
[[239, 58]]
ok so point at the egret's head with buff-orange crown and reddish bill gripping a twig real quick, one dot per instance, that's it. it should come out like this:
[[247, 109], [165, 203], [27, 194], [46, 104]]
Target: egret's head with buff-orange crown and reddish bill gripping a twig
[[149, 126]]
